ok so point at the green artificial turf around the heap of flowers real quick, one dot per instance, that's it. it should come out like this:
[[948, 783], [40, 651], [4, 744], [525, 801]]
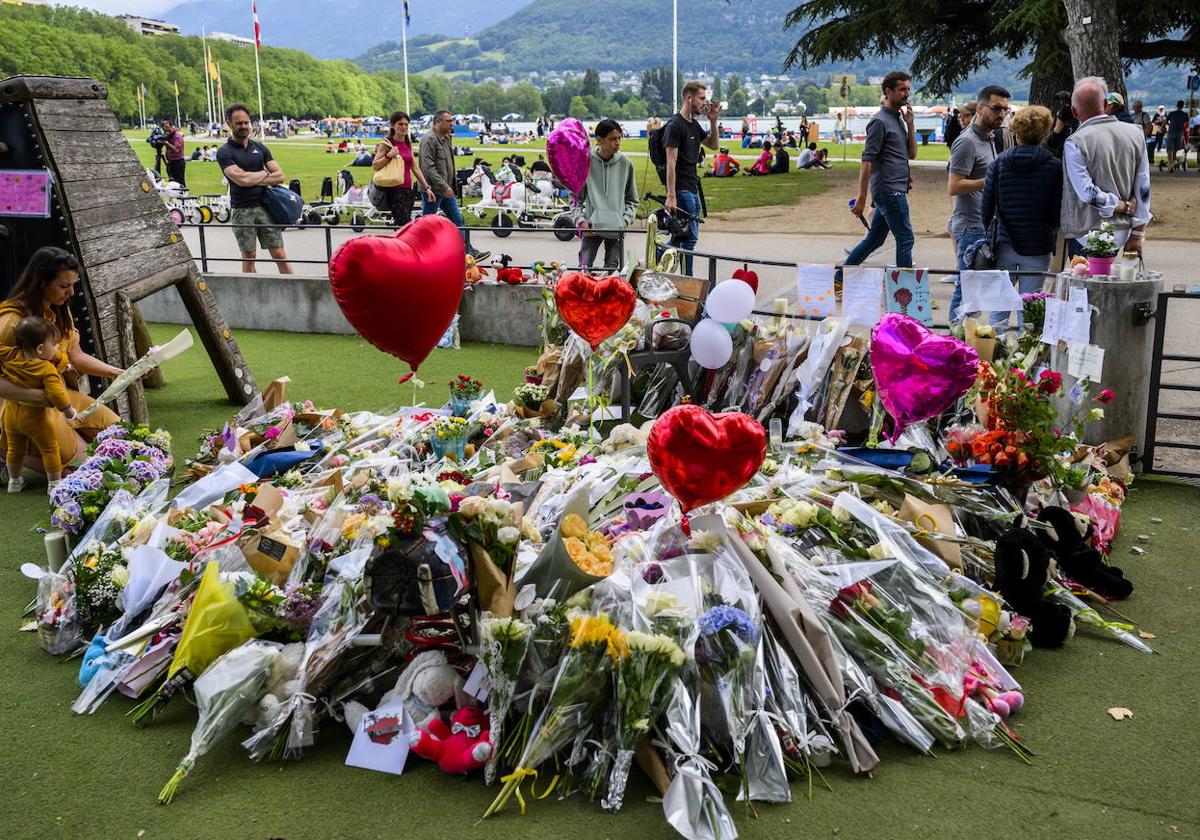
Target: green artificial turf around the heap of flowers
[[70, 777]]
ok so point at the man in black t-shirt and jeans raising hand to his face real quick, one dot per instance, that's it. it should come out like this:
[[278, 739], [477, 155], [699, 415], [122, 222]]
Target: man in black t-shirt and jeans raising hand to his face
[[682, 139]]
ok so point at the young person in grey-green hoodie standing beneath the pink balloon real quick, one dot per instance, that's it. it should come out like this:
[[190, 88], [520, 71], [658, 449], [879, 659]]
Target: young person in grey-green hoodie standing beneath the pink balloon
[[609, 200]]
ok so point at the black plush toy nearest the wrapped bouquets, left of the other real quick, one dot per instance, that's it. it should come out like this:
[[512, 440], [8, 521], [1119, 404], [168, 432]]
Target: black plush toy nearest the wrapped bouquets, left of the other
[[1023, 571]]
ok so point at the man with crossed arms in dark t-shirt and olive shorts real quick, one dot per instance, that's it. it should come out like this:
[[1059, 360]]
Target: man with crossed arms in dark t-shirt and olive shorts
[[250, 169]]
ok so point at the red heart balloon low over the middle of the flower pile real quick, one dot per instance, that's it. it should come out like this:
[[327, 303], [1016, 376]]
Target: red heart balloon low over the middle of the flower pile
[[701, 458]]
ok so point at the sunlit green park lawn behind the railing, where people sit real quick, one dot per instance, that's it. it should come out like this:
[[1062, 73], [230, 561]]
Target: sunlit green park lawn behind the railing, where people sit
[[308, 161]]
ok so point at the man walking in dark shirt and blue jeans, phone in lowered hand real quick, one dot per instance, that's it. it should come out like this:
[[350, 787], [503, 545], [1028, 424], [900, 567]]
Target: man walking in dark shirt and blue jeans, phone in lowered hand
[[891, 143]]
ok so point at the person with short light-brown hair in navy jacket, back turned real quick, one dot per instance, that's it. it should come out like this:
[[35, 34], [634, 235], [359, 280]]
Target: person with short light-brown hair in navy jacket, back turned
[[1024, 188]]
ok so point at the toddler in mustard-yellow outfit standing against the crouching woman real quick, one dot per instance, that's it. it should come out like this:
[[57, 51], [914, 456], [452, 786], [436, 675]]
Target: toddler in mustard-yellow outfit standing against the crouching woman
[[39, 364]]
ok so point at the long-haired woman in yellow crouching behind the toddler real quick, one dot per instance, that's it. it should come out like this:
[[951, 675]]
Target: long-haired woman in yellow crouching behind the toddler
[[45, 289]]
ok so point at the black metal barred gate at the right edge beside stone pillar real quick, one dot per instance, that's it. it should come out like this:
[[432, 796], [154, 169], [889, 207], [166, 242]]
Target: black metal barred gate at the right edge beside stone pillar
[[1173, 433]]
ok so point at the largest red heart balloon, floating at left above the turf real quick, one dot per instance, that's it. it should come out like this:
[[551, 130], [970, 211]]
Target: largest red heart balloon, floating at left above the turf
[[401, 293]]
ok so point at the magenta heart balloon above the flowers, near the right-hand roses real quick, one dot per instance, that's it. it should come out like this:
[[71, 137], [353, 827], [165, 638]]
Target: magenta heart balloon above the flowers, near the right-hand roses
[[919, 374]]
